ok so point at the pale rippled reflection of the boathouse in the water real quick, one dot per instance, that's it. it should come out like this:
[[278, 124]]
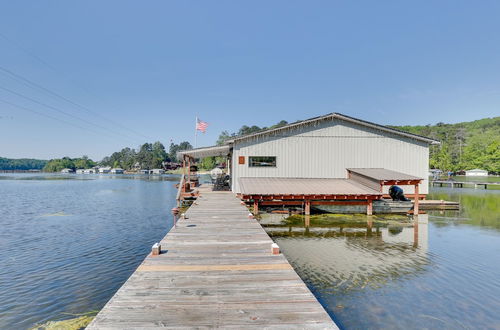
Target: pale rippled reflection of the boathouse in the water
[[353, 253]]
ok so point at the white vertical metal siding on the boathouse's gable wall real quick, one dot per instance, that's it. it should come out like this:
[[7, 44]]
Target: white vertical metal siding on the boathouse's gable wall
[[325, 150]]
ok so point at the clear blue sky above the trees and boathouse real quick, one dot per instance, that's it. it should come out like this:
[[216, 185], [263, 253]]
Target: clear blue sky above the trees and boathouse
[[152, 66]]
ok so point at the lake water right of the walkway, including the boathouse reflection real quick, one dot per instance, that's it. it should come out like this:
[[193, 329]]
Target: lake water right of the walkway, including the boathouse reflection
[[443, 276]]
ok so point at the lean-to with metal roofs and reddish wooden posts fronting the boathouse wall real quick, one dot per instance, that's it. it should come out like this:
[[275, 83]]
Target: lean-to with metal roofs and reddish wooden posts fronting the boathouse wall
[[363, 189]]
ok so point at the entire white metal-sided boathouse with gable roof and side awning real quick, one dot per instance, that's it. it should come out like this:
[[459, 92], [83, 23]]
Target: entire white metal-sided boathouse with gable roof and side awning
[[328, 159]]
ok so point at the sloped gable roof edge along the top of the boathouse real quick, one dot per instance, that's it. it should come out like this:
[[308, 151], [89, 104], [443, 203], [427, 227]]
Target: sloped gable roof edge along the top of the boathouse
[[331, 116]]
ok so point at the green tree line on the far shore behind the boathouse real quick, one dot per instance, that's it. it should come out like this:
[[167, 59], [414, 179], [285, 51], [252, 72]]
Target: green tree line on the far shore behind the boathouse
[[464, 146]]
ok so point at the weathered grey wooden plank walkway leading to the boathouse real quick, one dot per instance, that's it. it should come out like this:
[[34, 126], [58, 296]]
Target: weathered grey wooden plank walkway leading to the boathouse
[[216, 270]]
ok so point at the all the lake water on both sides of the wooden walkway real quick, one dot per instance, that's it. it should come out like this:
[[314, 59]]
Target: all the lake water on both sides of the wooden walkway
[[67, 243]]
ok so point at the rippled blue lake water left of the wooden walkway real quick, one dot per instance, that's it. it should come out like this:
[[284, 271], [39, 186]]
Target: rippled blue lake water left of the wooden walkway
[[67, 243]]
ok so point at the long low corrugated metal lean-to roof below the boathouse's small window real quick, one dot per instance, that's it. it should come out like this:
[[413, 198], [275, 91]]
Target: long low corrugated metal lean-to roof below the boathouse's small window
[[303, 186]]
